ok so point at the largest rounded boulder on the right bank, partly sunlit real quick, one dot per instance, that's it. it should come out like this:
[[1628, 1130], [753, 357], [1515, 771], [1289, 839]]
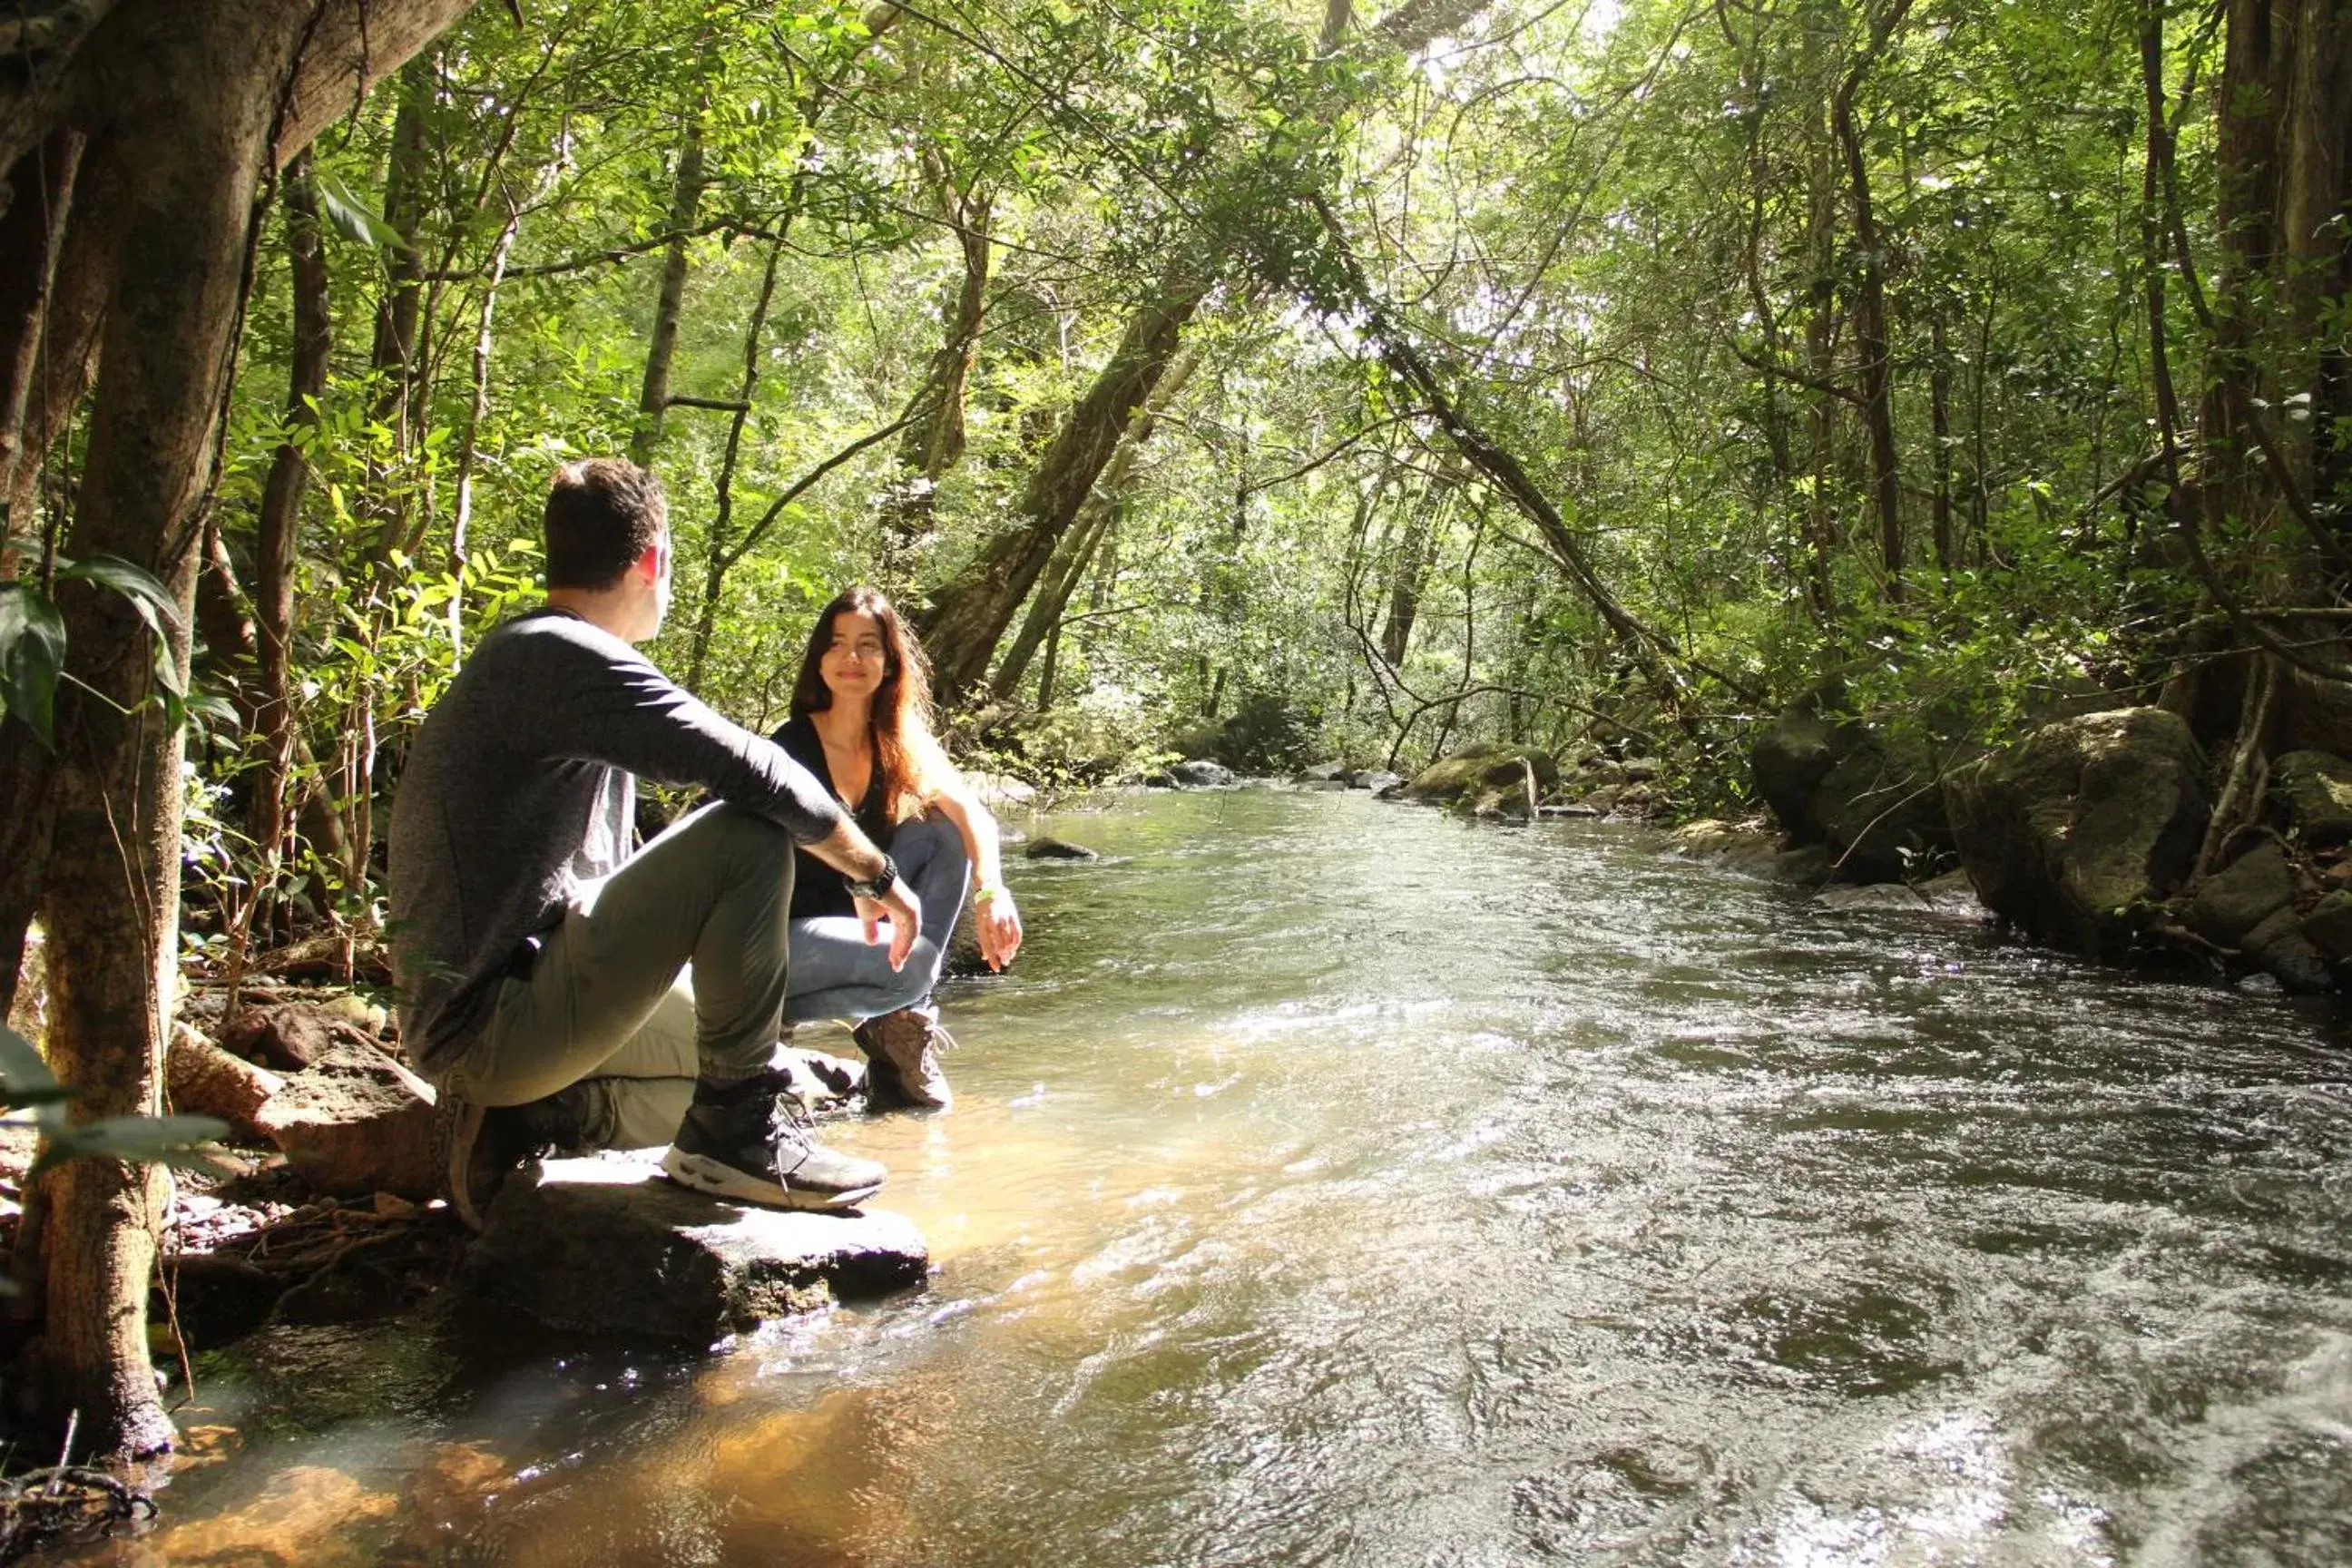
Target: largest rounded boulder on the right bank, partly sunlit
[[2085, 826]]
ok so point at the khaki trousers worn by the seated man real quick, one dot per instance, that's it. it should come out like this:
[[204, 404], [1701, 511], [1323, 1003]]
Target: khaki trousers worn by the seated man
[[608, 993]]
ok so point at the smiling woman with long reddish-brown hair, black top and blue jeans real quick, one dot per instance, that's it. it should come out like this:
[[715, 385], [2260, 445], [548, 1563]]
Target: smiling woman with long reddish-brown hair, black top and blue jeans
[[862, 721]]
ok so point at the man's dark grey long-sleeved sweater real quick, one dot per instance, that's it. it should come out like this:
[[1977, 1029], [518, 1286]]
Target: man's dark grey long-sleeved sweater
[[521, 789]]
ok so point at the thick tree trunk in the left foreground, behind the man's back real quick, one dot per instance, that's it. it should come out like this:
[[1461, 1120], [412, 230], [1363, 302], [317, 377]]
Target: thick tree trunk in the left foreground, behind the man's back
[[182, 100]]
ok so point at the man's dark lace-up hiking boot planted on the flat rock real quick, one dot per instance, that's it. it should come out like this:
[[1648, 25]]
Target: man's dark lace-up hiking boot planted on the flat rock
[[751, 1144]]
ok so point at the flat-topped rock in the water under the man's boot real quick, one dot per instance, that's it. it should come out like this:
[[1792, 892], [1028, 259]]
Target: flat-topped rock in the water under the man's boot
[[608, 1245]]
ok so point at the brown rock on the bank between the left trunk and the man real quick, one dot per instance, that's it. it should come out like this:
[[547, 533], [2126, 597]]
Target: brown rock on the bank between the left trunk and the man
[[356, 1123]]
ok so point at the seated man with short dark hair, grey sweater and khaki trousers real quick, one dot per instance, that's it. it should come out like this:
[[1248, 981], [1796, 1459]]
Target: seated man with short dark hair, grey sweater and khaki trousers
[[533, 951]]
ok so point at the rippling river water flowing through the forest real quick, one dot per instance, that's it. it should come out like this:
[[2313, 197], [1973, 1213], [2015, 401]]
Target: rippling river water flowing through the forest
[[1342, 1184]]
